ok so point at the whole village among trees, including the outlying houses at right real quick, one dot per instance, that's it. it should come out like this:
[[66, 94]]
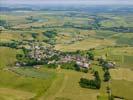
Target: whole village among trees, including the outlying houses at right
[[47, 55]]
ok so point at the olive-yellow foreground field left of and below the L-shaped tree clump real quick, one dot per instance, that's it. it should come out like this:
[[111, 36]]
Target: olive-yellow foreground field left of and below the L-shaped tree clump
[[69, 88]]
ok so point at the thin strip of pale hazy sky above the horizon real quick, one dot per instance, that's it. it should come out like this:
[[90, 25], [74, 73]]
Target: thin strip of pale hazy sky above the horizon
[[89, 2]]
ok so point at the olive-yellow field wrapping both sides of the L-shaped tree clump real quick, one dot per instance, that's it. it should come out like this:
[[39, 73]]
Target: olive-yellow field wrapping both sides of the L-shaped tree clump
[[69, 89]]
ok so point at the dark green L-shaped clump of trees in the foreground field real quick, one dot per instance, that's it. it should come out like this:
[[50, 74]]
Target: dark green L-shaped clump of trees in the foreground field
[[92, 84]]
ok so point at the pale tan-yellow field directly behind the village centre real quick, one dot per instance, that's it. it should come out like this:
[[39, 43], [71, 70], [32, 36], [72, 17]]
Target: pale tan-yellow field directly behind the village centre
[[84, 45]]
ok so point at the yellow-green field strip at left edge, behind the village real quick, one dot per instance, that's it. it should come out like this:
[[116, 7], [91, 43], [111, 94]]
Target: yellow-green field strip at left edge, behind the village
[[7, 36]]
